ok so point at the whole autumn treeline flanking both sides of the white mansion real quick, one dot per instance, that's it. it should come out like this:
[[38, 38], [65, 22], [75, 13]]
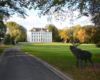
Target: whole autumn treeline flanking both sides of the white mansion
[[78, 33]]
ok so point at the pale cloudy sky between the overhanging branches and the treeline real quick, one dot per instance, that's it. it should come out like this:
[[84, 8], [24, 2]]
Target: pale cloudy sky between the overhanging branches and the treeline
[[33, 20]]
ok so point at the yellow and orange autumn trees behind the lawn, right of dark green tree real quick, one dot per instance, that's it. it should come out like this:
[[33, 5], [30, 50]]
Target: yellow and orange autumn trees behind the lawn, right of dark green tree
[[85, 34]]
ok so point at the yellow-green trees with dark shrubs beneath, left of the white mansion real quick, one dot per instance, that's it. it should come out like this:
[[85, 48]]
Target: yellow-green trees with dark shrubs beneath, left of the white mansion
[[15, 32]]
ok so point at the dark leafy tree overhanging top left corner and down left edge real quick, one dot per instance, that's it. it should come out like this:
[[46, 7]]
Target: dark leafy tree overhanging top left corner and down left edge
[[9, 8]]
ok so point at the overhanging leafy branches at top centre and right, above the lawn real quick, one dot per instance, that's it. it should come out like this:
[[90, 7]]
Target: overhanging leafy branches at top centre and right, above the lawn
[[58, 7]]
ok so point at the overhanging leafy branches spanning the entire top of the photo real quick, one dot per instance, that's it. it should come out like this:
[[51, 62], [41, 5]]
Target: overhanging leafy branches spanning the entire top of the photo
[[49, 7]]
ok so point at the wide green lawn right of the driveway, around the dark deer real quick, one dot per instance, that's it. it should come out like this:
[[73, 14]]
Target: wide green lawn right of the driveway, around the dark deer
[[60, 56]]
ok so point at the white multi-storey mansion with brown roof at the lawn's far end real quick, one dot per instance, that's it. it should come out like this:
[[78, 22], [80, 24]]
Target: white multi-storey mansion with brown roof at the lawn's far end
[[39, 35]]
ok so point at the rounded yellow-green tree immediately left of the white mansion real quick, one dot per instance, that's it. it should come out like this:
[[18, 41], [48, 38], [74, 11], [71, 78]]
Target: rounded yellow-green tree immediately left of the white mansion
[[16, 31]]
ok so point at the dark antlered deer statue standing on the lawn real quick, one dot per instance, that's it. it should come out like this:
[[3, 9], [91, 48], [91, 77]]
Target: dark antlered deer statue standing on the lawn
[[81, 55]]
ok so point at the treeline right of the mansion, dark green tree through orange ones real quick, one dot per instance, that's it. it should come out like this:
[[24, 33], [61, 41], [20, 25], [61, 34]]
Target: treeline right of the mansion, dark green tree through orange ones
[[78, 33]]
